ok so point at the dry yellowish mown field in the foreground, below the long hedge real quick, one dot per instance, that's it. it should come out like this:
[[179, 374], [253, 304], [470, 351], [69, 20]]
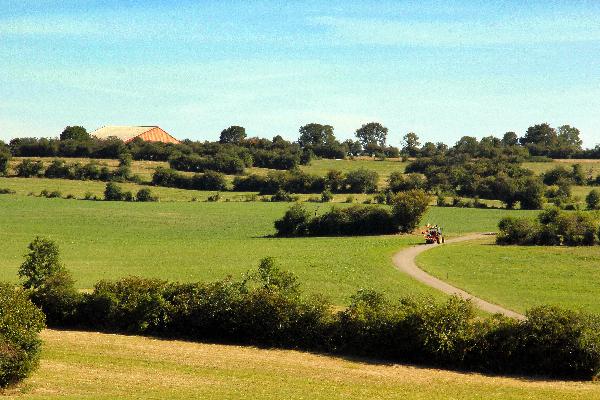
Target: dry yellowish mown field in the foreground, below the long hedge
[[88, 365]]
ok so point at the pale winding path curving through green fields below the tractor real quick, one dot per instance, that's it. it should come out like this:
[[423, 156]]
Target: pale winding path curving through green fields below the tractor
[[404, 261]]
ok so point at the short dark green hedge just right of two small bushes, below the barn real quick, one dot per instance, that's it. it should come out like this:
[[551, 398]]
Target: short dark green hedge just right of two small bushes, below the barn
[[209, 180]]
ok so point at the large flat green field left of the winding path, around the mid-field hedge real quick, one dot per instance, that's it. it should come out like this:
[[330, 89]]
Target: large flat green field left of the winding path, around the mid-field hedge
[[206, 241]]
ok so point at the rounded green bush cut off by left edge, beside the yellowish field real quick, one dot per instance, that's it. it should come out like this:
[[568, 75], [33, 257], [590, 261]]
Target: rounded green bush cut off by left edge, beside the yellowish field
[[20, 325]]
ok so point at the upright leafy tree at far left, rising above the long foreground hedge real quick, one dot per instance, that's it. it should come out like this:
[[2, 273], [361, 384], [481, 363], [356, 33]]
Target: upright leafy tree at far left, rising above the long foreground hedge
[[41, 262]]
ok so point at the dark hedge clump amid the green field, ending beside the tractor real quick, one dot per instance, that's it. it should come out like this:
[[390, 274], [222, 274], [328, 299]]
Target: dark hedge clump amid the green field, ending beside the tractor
[[408, 209]]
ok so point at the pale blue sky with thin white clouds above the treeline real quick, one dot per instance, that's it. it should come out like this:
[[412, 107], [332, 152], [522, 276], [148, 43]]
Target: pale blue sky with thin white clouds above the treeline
[[440, 69]]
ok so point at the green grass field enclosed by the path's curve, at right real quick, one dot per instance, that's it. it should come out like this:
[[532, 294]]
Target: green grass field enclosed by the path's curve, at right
[[520, 277]]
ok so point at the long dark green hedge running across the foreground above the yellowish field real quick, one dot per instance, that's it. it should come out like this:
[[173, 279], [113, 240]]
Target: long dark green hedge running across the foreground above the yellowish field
[[267, 308]]
